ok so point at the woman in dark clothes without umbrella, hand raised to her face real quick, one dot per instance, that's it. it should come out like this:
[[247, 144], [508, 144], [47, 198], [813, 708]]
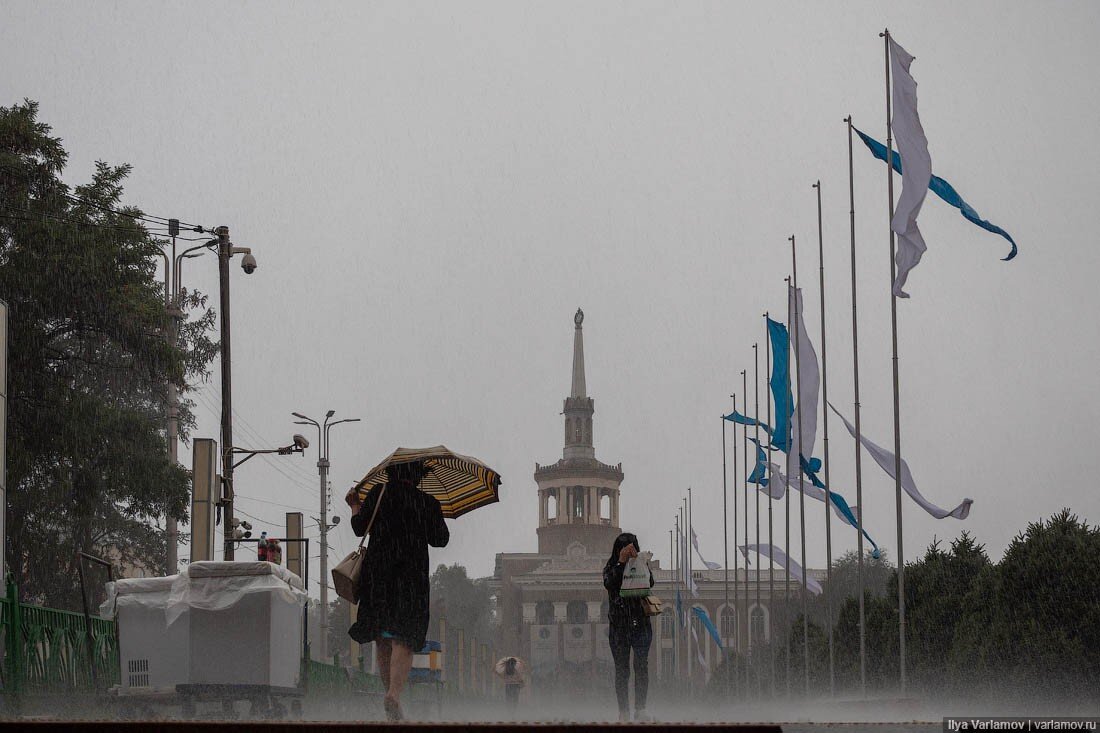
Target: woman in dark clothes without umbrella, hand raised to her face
[[629, 631]]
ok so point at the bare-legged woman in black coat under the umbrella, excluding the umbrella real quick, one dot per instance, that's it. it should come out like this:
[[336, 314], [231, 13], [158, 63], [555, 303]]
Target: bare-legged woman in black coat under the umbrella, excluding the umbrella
[[393, 607]]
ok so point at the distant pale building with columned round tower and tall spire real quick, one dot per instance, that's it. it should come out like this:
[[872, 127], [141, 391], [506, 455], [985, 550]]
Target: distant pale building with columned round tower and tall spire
[[553, 606]]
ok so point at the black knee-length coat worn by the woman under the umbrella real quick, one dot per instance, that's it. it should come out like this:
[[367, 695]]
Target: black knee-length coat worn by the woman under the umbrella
[[394, 585]]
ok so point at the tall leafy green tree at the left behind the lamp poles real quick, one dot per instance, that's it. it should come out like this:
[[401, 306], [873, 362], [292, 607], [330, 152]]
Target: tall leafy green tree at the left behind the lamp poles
[[89, 369]]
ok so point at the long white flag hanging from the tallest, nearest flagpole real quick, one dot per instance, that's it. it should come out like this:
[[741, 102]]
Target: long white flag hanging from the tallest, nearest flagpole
[[917, 167]]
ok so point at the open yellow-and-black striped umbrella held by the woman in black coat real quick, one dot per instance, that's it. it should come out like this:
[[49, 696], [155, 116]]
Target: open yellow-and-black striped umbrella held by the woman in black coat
[[460, 484]]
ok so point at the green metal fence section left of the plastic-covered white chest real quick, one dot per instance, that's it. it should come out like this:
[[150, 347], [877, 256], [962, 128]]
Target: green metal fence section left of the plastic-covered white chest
[[48, 651]]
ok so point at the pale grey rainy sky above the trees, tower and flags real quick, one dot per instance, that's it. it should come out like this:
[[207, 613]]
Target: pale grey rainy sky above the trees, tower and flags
[[433, 190]]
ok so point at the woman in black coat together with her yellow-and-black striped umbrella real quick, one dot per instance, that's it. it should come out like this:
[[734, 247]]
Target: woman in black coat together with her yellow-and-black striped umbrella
[[402, 505]]
